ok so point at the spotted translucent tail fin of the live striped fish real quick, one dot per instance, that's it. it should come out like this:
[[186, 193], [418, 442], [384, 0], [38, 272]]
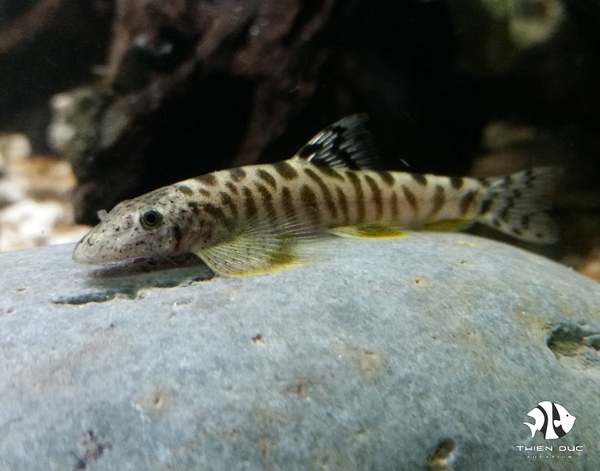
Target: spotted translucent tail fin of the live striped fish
[[516, 204]]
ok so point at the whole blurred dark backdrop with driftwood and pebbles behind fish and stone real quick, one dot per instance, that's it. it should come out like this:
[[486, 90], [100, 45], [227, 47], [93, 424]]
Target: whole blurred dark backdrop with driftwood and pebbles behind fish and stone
[[103, 100]]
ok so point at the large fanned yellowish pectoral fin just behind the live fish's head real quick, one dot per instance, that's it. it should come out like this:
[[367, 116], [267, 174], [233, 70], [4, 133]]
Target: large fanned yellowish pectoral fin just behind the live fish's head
[[263, 246]]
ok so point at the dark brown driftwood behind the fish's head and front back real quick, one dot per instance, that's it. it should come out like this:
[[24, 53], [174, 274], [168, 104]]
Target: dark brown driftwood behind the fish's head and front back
[[193, 87]]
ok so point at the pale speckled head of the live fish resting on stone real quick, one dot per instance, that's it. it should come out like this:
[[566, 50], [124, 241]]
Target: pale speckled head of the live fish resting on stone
[[148, 226]]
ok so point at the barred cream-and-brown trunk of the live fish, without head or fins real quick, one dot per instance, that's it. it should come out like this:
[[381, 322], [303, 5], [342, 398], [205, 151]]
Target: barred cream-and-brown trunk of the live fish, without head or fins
[[332, 197]]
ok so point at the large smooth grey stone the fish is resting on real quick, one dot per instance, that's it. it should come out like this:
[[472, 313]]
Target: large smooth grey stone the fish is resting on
[[371, 359]]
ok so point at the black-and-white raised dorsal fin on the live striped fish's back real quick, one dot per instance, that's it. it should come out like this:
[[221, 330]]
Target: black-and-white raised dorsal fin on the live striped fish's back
[[346, 144]]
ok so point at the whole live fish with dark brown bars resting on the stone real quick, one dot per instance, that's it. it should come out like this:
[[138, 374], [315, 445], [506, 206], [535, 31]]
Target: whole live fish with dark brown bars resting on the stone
[[260, 219]]
